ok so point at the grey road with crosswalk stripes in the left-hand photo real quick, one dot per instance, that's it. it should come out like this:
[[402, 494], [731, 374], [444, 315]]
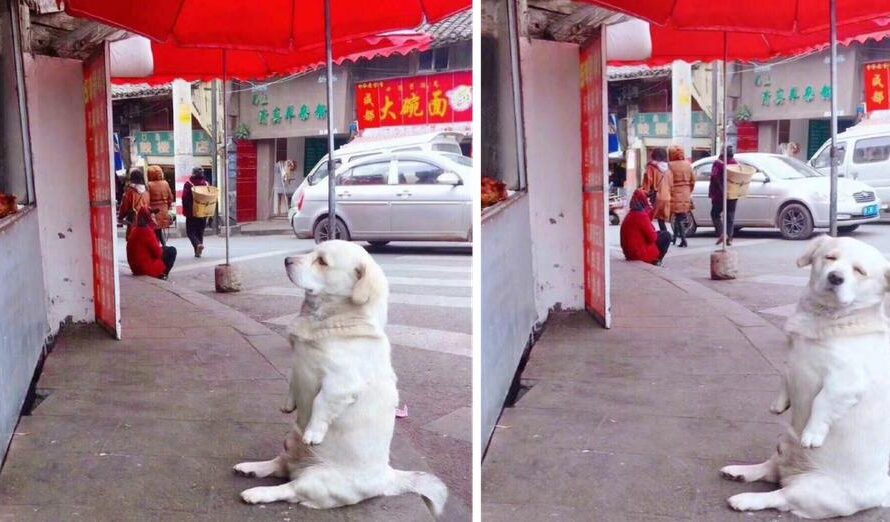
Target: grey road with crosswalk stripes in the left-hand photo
[[429, 327]]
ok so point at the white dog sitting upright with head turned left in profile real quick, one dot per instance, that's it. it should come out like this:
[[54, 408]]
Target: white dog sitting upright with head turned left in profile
[[343, 389]]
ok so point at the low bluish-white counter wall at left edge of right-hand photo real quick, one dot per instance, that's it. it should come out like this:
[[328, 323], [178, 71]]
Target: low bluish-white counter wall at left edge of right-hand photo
[[508, 303]]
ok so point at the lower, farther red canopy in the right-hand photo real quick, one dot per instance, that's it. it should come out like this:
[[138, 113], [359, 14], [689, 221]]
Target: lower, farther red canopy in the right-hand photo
[[673, 44]]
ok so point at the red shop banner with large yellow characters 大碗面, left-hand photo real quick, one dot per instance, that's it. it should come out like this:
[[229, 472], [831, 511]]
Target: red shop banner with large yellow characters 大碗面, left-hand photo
[[417, 100]]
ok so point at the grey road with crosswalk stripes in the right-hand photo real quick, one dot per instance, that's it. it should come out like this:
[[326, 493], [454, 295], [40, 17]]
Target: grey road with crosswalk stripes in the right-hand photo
[[769, 280]]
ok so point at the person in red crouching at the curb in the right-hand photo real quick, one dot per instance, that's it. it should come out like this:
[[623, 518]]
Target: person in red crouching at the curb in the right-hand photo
[[639, 240]]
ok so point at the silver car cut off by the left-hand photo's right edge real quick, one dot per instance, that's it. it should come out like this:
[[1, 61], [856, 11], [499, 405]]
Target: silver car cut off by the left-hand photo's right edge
[[409, 196]]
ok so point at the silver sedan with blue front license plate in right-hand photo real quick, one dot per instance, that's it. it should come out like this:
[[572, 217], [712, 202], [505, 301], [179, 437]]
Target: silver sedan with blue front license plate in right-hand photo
[[787, 194]]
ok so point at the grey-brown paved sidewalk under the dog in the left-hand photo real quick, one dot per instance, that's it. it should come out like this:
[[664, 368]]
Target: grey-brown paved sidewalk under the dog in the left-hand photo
[[148, 428]]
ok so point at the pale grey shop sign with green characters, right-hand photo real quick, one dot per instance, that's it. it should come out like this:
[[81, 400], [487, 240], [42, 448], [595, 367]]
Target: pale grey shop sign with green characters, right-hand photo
[[800, 89]]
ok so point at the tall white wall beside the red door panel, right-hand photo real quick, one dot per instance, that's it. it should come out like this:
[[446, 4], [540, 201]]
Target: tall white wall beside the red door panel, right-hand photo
[[552, 105]]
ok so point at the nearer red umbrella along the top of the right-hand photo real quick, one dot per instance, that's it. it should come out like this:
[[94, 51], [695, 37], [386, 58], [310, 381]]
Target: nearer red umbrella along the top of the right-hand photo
[[762, 16]]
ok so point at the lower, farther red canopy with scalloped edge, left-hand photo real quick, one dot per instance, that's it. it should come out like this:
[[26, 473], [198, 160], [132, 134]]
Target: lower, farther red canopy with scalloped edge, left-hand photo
[[193, 64]]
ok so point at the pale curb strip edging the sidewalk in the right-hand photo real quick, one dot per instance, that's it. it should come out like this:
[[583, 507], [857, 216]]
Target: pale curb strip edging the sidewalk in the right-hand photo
[[764, 336]]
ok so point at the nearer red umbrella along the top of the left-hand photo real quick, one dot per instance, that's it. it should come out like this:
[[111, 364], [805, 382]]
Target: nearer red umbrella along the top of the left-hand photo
[[276, 25]]
